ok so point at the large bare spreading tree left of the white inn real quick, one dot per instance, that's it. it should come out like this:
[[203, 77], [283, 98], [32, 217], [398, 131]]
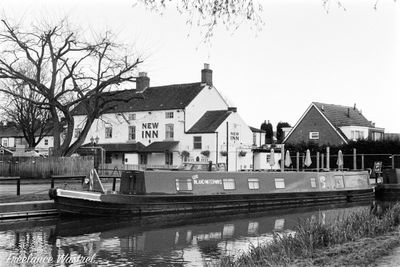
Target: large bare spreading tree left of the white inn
[[79, 72]]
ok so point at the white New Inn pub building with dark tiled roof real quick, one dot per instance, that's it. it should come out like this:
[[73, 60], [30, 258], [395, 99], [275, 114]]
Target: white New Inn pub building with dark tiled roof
[[173, 124]]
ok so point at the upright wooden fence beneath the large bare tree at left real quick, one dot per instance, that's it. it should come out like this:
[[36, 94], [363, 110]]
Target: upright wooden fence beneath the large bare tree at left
[[37, 167]]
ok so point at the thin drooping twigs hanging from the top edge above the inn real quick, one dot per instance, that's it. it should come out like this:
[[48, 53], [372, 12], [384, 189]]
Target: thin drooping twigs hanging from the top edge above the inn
[[209, 13]]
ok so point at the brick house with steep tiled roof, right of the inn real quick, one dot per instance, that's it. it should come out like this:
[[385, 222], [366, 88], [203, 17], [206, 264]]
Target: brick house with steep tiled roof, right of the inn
[[328, 124]]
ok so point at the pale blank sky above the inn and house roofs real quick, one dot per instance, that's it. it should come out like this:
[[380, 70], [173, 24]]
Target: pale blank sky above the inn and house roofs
[[303, 53]]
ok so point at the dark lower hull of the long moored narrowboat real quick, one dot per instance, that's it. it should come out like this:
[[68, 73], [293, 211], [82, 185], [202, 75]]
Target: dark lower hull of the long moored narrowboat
[[138, 205]]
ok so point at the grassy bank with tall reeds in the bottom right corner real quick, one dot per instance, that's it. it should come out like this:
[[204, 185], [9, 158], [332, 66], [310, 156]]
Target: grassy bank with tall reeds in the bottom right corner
[[357, 239]]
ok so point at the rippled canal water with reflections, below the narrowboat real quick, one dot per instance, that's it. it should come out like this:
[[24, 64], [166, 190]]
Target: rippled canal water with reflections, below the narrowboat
[[184, 240]]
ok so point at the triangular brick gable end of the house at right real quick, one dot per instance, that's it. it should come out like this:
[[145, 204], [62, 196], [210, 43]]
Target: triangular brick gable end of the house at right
[[314, 121]]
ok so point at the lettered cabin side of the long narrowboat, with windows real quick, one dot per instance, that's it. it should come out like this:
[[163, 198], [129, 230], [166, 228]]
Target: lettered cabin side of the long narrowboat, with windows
[[269, 182]]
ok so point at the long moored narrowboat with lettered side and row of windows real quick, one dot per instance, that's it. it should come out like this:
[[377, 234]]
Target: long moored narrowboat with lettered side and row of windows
[[156, 192]]
